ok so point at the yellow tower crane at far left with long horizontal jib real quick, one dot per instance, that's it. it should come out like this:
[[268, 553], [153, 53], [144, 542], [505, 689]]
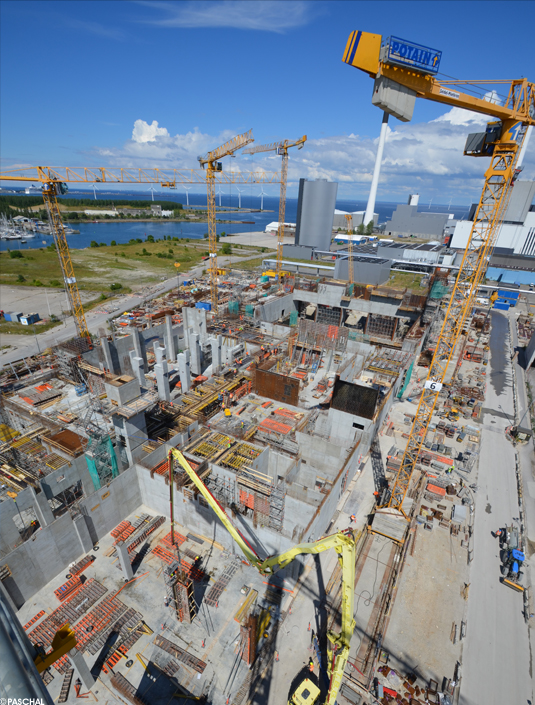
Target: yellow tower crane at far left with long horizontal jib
[[54, 182]]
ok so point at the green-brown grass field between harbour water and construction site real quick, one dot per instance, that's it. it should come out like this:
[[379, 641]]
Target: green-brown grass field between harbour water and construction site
[[97, 268]]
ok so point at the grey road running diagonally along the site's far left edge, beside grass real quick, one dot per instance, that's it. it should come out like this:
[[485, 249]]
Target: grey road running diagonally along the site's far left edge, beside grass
[[96, 320]]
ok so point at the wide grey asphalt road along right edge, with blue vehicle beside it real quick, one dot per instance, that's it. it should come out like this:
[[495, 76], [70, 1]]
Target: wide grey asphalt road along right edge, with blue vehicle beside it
[[496, 654]]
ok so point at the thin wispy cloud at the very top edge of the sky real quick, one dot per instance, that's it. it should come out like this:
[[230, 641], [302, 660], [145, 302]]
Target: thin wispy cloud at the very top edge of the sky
[[261, 15]]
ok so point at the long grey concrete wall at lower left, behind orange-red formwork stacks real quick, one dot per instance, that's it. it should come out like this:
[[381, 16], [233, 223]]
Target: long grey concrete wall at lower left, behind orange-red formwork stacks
[[50, 550]]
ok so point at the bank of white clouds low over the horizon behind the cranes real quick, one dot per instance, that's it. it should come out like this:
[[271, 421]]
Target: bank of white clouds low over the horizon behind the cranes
[[419, 157]]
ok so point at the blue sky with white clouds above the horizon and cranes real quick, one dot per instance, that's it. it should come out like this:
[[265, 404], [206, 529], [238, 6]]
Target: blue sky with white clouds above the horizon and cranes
[[157, 83]]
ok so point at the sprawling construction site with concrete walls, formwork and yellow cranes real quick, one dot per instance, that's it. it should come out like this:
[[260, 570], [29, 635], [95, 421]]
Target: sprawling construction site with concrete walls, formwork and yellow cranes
[[256, 488]]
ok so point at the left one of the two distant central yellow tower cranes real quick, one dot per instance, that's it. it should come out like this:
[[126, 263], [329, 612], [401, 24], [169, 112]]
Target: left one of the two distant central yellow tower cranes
[[212, 165]]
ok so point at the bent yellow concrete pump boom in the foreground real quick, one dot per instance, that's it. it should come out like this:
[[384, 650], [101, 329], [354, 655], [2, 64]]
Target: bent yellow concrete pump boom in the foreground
[[343, 543]]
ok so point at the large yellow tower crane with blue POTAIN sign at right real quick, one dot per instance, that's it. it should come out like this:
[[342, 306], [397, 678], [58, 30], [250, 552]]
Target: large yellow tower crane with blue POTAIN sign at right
[[404, 71]]
